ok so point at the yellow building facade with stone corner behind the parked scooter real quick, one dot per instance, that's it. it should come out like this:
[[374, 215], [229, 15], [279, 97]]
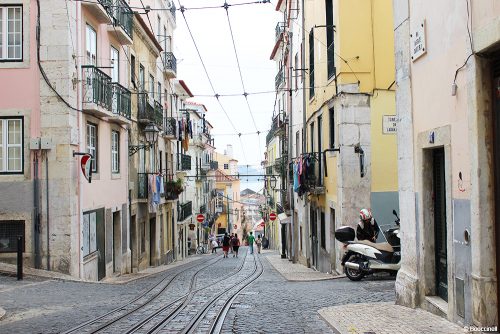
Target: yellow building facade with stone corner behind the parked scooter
[[349, 121]]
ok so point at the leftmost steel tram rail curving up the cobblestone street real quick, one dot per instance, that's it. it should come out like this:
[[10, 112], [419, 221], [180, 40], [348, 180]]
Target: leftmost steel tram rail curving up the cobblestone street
[[87, 327]]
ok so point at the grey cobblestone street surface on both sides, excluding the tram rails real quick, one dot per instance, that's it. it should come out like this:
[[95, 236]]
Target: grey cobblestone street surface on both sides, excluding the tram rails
[[271, 304]]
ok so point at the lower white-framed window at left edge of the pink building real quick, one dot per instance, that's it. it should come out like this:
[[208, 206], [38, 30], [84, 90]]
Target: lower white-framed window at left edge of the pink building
[[11, 145]]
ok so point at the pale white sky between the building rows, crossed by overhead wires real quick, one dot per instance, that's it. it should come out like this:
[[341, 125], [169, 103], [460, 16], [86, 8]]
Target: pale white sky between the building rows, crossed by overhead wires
[[253, 27]]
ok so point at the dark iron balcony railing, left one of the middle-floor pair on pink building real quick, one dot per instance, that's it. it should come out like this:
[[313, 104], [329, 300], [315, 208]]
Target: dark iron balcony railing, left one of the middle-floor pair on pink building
[[96, 87]]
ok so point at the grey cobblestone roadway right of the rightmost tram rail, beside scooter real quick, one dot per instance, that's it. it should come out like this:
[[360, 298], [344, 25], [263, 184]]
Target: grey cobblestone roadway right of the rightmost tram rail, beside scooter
[[274, 305]]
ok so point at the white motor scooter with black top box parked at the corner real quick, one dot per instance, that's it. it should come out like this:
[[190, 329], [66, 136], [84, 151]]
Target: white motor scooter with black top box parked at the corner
[[363, 257]]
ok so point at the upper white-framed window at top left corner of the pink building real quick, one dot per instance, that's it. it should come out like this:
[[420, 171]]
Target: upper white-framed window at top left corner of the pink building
[[11, 33]]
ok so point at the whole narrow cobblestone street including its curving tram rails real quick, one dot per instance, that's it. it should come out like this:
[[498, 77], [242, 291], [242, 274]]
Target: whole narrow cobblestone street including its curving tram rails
[[187, 298]]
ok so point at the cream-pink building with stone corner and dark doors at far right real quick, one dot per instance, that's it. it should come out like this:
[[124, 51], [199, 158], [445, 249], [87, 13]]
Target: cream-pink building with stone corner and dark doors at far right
[[448, 79]]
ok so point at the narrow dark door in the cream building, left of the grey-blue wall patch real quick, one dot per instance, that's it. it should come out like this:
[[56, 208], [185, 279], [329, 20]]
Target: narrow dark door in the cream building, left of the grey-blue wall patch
[[440, 231]]
